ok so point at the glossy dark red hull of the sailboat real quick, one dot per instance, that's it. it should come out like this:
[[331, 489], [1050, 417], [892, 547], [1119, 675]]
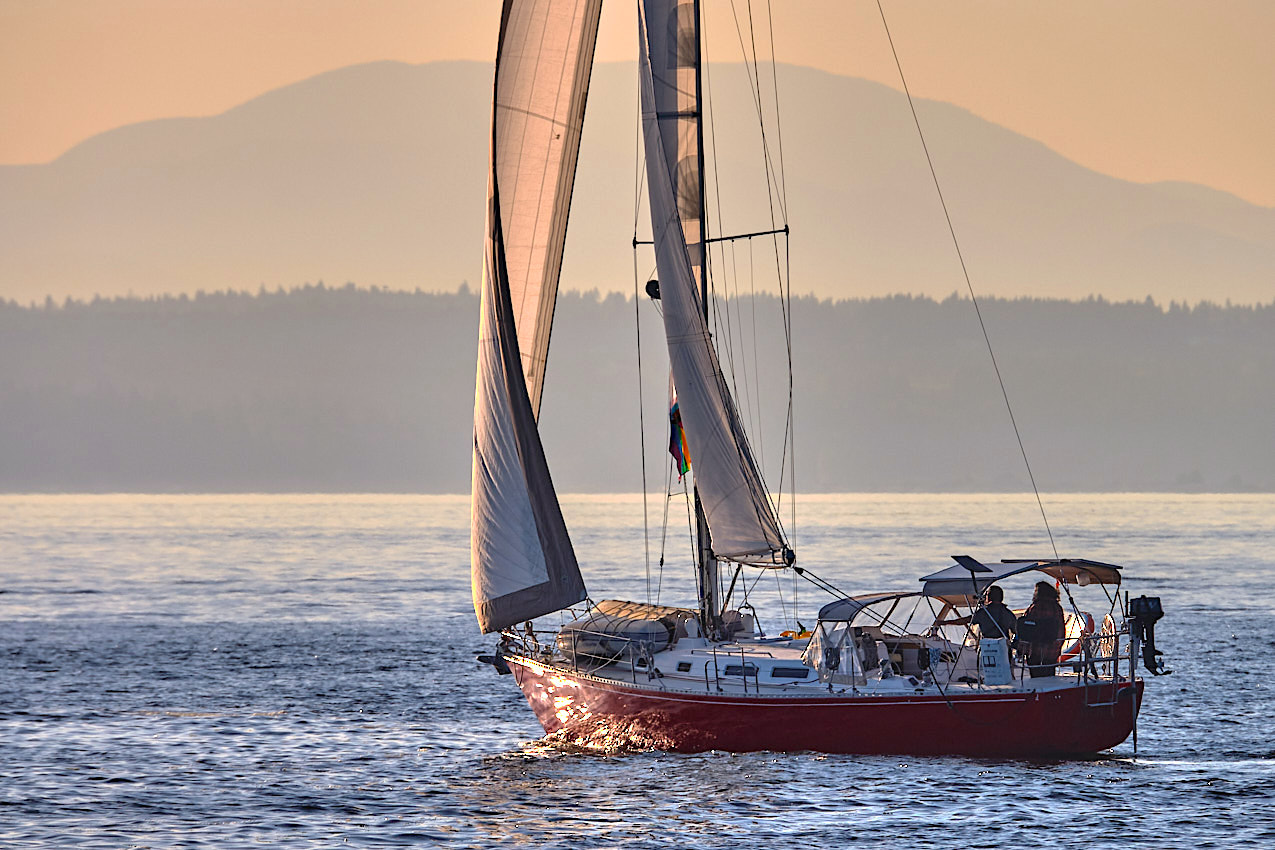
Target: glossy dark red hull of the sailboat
[[585, 710]]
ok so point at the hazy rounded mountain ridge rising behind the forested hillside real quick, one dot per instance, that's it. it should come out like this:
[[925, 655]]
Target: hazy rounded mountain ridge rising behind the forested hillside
[[377, 174]]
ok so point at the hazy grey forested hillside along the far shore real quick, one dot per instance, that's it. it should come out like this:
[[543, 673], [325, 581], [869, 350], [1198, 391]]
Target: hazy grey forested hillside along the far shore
[[346, 389]]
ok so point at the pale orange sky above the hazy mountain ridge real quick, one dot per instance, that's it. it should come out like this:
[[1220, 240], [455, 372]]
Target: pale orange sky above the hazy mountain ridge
[[1143, 90]]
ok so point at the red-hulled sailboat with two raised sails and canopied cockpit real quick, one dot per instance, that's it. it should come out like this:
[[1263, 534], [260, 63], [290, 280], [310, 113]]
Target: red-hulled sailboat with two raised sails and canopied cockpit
[[908, 671]]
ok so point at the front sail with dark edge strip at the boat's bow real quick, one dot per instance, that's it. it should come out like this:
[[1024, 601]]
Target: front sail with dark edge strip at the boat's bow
[[522, 561]]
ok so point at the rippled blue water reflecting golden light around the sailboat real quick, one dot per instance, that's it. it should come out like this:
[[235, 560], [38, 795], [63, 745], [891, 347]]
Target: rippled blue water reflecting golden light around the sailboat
[[298, 671]]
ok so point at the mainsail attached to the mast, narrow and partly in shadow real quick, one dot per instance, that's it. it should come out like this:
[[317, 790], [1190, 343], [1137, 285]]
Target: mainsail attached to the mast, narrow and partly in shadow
[[740, 514]]
